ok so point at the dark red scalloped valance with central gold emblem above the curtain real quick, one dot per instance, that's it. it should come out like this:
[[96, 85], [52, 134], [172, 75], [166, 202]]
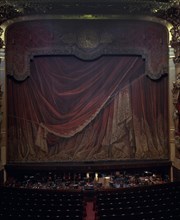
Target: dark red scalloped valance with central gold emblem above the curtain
[[86, 40]]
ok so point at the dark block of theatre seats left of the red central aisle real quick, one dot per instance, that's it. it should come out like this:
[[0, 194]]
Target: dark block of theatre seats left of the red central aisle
[[35, 207]]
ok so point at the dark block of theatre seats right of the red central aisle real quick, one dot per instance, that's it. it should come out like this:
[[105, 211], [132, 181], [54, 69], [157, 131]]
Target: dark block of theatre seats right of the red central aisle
[[142, 207]]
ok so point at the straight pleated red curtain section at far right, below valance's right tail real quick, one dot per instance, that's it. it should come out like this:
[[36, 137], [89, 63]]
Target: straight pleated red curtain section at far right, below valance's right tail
[[150, 117]]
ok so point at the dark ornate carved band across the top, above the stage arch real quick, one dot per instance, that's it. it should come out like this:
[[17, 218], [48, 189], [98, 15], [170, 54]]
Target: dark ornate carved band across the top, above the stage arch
[[89, 9]]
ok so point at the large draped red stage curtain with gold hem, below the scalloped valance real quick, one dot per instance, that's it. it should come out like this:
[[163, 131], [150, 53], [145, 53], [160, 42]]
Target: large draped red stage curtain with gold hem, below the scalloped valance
[[68, 107]]
